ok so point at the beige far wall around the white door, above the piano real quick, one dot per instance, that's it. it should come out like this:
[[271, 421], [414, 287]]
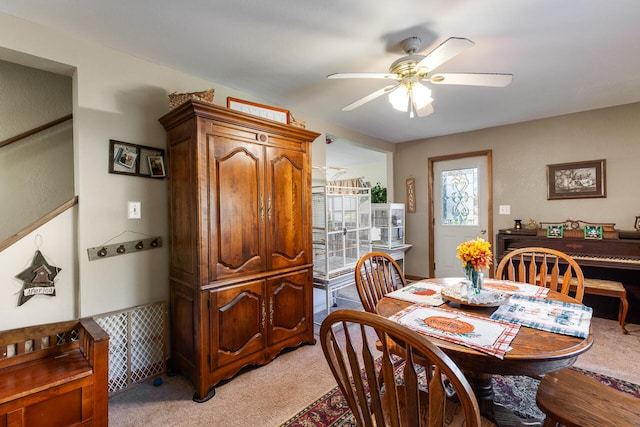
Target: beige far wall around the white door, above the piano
[[521, 153]]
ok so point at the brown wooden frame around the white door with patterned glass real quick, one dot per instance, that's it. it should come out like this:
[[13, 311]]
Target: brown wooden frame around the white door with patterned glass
[[488, 157]]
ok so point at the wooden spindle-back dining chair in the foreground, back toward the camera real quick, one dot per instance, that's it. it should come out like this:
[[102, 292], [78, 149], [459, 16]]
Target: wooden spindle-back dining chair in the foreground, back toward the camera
[[410, 395]]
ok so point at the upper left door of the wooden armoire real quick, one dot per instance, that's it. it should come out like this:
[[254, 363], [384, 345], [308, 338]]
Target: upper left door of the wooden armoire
[[238, 211]]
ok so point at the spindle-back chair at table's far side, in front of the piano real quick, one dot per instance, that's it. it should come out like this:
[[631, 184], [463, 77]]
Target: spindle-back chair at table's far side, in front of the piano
[[543, 267]]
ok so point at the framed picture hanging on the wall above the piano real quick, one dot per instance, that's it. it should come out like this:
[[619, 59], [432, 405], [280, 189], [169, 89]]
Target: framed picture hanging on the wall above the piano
[[576, 180]]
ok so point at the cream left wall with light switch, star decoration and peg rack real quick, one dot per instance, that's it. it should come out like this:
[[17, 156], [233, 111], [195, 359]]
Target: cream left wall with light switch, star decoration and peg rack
[[119, 97]]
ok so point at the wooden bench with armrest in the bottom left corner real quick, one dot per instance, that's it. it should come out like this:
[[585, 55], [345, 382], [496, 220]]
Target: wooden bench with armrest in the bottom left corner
[[54, 375]]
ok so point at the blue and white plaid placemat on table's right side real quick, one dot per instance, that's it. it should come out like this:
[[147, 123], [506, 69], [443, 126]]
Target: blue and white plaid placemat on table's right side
[[547, 315]]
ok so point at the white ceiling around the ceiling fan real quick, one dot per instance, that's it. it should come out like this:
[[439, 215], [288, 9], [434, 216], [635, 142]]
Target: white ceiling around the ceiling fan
[[566, 55]]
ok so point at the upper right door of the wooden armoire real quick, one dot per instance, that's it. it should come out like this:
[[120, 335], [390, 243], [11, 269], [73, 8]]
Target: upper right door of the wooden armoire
[[287, 194]]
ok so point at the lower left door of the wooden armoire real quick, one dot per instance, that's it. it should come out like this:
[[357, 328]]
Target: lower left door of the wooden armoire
[[239, 321]]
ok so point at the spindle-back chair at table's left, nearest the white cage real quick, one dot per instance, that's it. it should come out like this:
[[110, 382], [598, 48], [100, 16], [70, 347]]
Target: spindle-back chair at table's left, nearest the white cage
[[377, 274]]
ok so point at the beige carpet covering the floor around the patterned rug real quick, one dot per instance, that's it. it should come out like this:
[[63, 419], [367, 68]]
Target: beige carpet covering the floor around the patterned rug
[[271, 394]]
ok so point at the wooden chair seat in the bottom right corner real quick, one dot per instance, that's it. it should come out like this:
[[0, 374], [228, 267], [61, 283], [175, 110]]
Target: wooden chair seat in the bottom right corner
[[572, 399]]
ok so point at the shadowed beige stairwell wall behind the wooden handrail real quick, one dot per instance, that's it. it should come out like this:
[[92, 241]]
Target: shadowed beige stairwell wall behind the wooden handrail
[[36, 172]]
